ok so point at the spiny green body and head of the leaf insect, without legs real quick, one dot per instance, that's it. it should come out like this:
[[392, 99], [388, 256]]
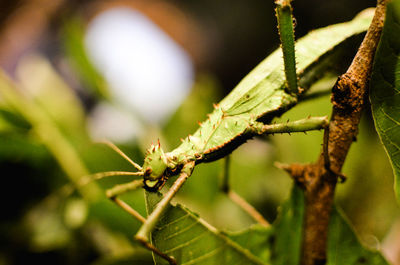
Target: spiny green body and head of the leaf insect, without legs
[[248, 109]]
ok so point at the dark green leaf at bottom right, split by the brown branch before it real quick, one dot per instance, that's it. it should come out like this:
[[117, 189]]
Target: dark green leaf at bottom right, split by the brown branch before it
[[343, 245]]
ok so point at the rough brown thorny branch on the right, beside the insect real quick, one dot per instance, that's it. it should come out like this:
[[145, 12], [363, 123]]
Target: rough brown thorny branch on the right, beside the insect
[[319, 179]]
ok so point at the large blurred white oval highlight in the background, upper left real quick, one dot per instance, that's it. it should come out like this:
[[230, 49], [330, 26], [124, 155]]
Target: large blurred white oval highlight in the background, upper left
[[147, 71]]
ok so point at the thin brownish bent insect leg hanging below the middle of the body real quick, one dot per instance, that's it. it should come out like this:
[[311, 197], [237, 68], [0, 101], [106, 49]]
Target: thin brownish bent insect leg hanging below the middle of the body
[[237, 199]]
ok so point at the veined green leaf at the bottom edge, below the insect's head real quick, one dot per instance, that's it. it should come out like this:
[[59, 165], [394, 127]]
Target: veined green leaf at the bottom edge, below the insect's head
[[184, 235]]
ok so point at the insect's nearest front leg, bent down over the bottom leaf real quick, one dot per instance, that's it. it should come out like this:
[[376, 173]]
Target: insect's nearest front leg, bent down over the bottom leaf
[[142, 235]]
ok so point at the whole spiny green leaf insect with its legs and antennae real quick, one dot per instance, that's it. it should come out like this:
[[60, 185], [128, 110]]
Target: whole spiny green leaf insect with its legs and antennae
[[246, 112]]
